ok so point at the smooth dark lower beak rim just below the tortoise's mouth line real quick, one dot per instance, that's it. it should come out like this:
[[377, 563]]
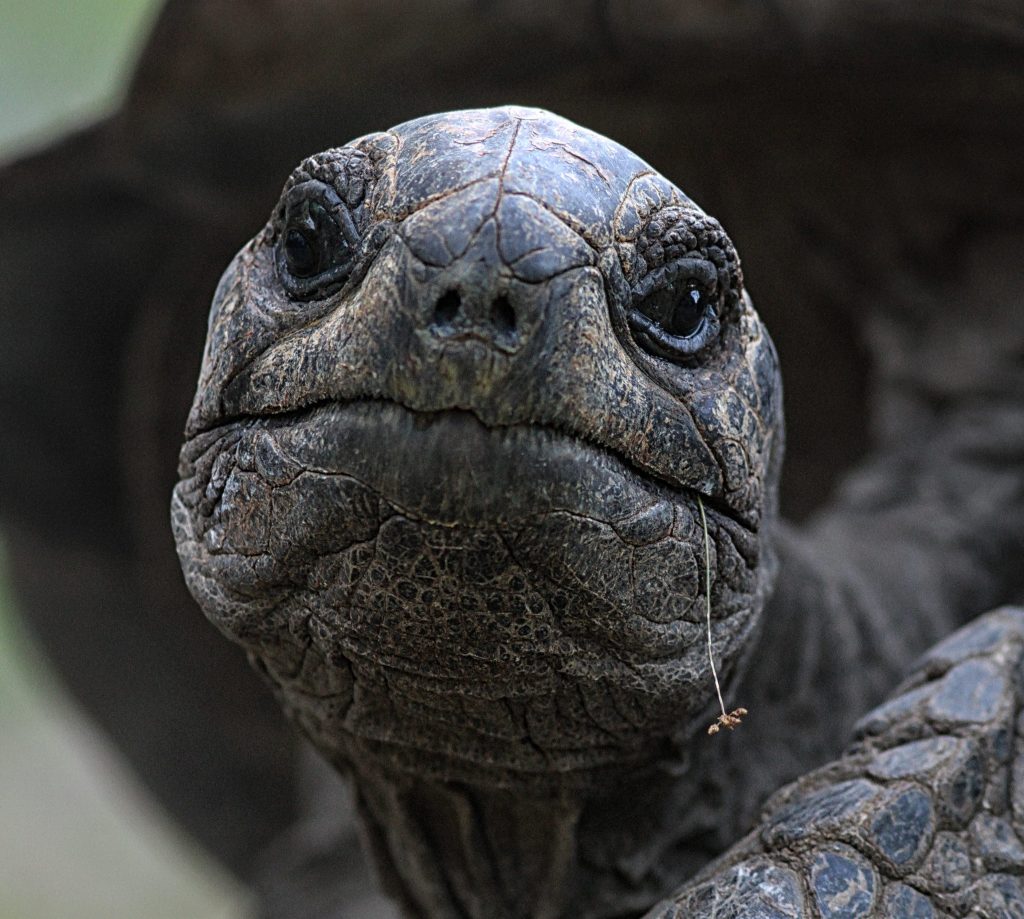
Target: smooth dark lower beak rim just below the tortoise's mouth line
[[449, 469]]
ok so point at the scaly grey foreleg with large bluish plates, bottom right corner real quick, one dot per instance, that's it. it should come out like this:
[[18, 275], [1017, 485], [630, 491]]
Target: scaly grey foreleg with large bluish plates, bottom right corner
[[921, 818]]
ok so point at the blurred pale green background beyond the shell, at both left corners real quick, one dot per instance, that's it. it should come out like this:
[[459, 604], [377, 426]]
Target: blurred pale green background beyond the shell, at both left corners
[[79, 837]]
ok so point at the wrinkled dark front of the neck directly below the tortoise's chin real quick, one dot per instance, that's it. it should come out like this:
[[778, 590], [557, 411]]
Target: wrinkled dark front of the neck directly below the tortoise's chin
[[454, 851]]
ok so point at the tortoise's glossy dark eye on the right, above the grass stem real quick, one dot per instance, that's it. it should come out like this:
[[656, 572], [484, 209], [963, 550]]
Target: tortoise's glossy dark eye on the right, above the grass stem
[[675, 314]]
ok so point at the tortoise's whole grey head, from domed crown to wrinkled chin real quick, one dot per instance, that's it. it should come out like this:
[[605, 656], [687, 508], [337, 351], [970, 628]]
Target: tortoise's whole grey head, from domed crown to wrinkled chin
[[441, 477]]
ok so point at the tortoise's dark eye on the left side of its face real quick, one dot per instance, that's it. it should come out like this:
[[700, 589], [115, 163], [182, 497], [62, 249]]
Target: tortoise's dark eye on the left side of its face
[[318, 242]]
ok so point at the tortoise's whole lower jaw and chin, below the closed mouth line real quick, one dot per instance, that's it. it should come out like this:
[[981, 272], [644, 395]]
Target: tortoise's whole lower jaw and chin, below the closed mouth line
[[440, 566]]
